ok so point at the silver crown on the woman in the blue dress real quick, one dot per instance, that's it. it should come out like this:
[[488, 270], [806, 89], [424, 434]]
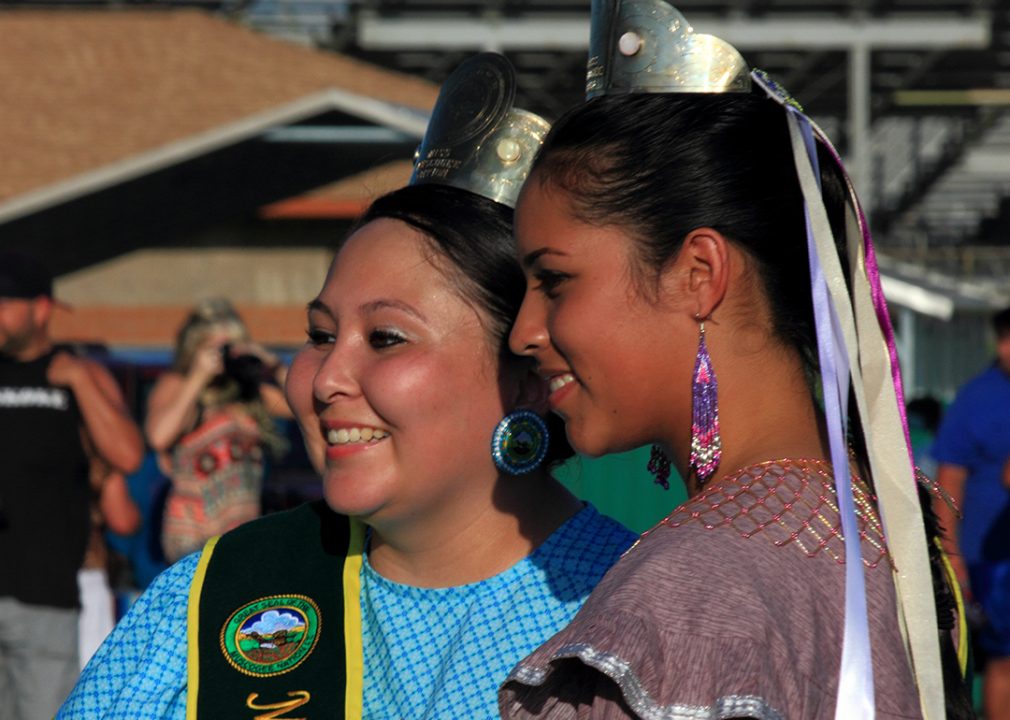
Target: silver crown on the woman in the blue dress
[[476, 141]]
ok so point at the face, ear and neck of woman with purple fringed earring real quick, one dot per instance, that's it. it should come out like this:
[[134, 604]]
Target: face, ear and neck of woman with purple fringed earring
[[633, 356]]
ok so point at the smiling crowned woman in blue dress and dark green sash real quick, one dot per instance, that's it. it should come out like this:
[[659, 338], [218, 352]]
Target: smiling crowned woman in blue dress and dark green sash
[[459, 552]]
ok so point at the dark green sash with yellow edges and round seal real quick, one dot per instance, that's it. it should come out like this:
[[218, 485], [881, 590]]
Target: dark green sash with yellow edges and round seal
[[275, 627]]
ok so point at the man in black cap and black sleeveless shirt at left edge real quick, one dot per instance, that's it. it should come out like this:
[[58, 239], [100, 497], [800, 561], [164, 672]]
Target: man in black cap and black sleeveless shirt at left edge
[[56, 410]]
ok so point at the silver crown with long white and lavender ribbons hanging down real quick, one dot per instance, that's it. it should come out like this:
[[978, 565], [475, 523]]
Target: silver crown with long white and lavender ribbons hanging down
[[648, 47]]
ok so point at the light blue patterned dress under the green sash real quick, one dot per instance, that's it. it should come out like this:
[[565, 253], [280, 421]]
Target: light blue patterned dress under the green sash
[[429, 653]]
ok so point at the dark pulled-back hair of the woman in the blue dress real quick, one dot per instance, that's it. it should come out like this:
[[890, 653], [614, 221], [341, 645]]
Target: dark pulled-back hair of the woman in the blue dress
[[474, 237]]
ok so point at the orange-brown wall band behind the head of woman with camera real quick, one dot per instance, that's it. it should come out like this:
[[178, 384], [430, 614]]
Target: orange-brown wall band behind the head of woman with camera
[[157, 326]]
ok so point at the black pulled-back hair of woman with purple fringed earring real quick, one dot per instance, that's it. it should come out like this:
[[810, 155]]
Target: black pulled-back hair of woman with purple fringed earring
[[661, 166]]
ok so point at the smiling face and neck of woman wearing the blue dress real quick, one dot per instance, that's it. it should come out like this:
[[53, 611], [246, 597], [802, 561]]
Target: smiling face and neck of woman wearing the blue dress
[[394, 348]]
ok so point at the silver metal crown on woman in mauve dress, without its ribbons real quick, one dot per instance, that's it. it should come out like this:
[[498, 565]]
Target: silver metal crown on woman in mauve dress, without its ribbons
[[648, 47]]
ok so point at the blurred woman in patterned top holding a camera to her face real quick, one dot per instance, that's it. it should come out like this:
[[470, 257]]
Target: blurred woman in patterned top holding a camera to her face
[[211, 420]]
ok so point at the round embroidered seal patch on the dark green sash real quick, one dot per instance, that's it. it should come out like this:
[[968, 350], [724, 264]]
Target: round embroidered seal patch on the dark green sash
[[271, 636]]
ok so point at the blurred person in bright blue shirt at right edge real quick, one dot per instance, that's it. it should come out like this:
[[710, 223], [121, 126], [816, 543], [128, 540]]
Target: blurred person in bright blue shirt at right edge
[[972, 448]]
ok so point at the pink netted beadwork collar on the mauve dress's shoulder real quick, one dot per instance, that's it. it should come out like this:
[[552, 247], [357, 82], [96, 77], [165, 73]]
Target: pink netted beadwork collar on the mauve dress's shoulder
[[791, 502]]
